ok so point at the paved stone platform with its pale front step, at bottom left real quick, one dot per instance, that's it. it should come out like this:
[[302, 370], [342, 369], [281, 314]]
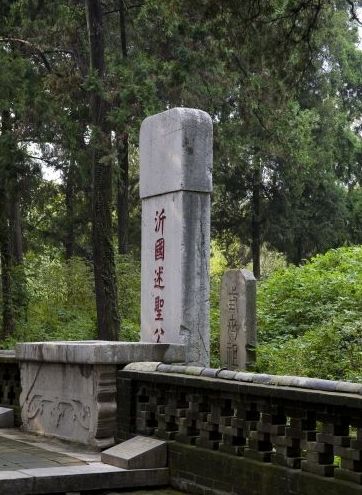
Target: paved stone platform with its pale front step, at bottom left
[[30, 464]]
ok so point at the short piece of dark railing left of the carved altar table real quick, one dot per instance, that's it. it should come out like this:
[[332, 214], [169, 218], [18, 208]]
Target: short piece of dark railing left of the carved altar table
[[10, 382]]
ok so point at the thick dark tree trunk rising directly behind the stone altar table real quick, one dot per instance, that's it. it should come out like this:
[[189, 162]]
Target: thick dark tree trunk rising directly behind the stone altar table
[[104, 268]]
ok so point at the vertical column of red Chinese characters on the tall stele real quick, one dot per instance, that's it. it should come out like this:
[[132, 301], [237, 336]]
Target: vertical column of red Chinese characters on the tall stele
[[159, 284]]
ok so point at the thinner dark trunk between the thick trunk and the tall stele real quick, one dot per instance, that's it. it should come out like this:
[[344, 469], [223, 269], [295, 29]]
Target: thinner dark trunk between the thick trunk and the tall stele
[[122, 154]]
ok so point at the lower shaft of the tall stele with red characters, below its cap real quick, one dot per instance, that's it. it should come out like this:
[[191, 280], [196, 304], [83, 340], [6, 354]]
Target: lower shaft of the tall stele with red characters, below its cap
[[177, 309]]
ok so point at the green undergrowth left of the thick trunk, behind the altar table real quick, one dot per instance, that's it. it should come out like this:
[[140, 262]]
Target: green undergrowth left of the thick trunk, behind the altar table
[[61, 300]]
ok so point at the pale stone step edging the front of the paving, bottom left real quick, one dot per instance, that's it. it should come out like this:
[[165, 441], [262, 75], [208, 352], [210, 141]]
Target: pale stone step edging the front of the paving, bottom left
[[94, 476]]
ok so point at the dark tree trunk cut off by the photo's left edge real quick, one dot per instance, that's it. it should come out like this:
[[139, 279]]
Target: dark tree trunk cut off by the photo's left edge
[[8, 316]]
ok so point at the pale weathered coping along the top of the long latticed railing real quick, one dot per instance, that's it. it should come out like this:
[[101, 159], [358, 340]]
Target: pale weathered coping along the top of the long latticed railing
[[315, 384]]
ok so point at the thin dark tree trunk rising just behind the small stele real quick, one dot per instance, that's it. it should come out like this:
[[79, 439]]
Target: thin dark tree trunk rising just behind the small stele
[[255, 221]]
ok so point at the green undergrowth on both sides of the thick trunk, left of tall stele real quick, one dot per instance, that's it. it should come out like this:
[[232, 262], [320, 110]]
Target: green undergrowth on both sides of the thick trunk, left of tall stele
[[61, 301]]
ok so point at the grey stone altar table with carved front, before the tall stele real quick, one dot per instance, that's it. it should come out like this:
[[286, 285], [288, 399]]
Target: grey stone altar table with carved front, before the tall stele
[[69, 388]]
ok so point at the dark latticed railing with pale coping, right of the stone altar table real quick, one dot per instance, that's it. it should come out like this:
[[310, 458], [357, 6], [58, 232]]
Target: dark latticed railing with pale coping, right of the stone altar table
[[245, 433]]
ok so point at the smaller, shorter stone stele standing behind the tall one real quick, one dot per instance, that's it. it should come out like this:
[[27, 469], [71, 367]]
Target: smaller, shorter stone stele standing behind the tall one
[[238, 319]]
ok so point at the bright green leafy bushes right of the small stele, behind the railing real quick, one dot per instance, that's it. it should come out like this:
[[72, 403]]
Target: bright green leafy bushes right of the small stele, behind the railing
[[310, 317]]
